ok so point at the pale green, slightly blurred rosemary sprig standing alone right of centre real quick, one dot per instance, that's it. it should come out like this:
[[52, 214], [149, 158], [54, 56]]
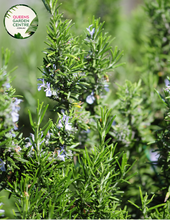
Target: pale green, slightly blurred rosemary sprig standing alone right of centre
[[133, 120]]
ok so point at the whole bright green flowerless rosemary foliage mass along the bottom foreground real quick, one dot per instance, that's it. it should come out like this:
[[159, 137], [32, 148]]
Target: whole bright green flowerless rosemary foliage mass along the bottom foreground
[[45, 188]]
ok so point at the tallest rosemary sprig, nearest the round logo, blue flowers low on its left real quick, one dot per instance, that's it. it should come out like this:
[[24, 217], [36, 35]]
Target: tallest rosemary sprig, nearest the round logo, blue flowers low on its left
[[62, 66]]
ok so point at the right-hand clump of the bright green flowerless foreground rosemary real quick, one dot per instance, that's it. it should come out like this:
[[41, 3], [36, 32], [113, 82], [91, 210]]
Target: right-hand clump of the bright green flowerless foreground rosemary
[[98, 179]]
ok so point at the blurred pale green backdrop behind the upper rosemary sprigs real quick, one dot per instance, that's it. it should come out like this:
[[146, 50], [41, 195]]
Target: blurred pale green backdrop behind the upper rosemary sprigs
[[125, 21]]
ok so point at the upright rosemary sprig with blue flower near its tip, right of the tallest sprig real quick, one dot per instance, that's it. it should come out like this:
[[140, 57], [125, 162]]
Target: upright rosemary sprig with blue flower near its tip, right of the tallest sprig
[[97, 65]]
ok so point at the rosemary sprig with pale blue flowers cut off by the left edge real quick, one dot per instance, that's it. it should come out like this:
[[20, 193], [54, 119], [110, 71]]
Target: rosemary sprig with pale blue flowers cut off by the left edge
[[9, 116]]
